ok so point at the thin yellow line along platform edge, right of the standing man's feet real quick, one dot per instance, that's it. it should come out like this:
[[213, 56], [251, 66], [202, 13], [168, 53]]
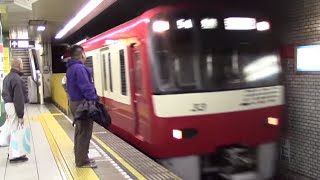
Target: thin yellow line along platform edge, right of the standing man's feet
[[118, 158]]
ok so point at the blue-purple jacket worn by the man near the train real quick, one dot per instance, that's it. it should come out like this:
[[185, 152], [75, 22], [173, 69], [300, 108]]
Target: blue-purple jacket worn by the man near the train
[[79, 82]]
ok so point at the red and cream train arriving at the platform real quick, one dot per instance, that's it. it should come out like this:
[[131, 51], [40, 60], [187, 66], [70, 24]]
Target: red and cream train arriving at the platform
[[184, 85]]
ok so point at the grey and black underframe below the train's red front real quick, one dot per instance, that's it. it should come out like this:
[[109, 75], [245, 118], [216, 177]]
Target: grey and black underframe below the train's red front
[[234, 162]]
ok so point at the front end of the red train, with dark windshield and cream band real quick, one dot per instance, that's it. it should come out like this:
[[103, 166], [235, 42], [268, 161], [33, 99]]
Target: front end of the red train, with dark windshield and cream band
[[217, 95]]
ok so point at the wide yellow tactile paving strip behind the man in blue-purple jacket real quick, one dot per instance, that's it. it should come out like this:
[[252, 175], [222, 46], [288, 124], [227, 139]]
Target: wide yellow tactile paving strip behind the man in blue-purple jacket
[[62, 149]]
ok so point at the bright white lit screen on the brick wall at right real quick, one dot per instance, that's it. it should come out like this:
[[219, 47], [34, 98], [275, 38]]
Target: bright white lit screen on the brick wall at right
[[308, 58]]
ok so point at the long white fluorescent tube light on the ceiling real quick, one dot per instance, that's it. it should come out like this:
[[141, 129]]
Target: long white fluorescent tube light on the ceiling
[[89, 7]]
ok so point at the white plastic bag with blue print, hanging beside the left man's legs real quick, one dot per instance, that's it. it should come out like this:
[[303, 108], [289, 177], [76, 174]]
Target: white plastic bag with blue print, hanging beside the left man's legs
[[20, 142]]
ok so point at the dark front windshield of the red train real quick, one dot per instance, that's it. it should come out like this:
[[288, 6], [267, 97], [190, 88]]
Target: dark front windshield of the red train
[[189, 57]]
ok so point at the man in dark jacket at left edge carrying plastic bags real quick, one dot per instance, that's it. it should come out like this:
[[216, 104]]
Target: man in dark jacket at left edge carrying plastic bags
[[15, 96]]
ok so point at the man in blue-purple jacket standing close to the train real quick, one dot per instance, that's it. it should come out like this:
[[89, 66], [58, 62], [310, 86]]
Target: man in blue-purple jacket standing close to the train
[[80, 87]]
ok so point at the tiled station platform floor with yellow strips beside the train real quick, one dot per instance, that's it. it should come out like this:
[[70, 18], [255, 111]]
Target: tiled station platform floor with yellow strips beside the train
[[52, 155]]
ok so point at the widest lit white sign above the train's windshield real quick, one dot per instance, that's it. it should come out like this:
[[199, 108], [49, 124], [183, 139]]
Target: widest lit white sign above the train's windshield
[[240, 23]]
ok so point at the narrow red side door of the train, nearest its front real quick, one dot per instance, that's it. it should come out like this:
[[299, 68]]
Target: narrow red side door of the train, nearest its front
[[137, 95]]
